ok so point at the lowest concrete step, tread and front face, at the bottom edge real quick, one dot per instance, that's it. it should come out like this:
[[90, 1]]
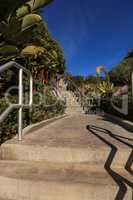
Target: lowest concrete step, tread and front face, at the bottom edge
[[42, 181]]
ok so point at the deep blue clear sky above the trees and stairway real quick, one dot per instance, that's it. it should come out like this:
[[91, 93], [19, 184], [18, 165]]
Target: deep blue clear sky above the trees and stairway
[[91, 33]]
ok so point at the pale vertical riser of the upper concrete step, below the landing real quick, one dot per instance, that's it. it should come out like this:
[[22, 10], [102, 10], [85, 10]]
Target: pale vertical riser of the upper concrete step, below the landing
[[31, 151]]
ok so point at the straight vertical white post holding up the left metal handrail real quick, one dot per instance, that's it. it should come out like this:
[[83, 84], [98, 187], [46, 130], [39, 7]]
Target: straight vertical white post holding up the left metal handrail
[[20, 114]]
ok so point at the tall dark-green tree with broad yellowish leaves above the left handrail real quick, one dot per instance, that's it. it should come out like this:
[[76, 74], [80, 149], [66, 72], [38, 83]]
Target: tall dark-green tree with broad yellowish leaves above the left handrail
[[18, 35]]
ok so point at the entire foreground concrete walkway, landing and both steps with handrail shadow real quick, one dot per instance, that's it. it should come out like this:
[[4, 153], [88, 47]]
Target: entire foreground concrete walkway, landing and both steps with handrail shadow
[[79, 157]]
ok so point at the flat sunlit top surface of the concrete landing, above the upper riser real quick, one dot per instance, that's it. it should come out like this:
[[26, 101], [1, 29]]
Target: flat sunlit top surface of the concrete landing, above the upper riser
[[71, 132]]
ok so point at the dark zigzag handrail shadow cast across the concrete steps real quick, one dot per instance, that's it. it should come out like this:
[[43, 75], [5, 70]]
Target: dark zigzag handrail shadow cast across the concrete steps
[[121, 181]]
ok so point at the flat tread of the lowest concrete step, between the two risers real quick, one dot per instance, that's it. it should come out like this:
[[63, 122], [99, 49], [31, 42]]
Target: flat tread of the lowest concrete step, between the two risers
[[54, 172]]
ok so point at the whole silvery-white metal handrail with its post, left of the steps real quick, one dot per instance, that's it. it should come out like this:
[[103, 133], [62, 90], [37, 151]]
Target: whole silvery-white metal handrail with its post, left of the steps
[[20, 104]]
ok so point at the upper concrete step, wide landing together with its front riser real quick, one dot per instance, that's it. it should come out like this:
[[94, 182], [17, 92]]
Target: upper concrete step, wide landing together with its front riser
[[68, 140]]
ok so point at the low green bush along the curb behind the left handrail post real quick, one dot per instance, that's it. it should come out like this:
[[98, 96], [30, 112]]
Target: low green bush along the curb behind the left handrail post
[[9, 127]]
